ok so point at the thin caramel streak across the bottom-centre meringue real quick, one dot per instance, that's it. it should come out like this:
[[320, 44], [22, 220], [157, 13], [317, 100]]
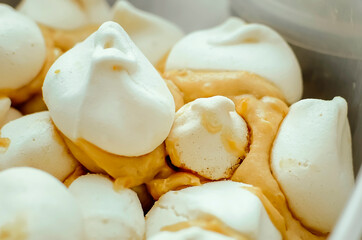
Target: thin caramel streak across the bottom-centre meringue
[[210, 223]]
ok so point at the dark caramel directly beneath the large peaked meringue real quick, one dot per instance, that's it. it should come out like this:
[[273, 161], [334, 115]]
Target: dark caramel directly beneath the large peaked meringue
[[128, 171]]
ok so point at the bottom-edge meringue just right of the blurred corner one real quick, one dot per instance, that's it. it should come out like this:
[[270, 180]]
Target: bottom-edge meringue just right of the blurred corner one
[[108, 214]]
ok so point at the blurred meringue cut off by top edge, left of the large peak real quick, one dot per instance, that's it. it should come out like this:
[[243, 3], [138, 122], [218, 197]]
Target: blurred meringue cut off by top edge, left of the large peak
[[66, 14]]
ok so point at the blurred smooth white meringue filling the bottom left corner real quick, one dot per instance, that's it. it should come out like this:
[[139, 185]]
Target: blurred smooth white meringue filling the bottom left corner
[[35, 205]]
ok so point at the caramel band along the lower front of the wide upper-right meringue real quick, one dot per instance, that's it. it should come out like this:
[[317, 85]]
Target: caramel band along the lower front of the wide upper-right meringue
[[200, 84]]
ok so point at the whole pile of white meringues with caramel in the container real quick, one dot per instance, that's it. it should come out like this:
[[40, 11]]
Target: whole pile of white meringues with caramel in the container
[[124, 115]]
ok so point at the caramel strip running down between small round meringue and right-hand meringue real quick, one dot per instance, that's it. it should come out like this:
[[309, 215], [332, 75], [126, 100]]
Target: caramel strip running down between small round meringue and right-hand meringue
[[264, 117]]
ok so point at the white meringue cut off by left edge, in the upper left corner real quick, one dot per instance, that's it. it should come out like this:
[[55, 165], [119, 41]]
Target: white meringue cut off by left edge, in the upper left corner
[[22, 51]]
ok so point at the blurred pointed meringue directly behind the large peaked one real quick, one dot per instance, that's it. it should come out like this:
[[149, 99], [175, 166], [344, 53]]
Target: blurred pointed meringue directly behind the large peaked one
[[154, 35]]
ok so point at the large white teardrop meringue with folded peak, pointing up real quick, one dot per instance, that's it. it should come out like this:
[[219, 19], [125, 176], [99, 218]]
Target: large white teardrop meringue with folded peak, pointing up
[[106, 92]]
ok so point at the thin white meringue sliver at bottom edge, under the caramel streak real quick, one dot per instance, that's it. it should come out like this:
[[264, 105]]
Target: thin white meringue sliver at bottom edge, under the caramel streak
[[193, 233]]
